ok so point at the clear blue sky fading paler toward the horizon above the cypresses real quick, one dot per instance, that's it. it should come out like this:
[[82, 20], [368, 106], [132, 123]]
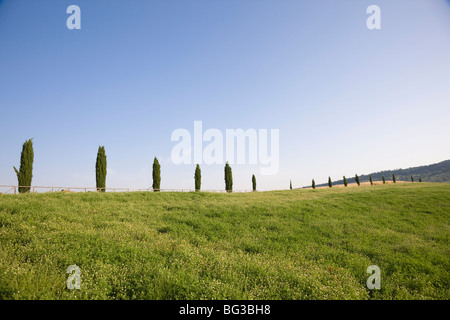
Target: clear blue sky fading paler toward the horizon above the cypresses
[[345, 99]]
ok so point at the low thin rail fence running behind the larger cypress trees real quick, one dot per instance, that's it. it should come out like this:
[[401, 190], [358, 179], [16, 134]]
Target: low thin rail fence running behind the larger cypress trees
[[6, 189]]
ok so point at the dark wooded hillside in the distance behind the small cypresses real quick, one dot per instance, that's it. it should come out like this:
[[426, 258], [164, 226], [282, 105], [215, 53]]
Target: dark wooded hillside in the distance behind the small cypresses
[[438, 172]]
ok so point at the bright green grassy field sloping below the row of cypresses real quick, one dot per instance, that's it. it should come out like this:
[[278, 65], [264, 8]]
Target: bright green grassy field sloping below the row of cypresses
[[296, 244]]
